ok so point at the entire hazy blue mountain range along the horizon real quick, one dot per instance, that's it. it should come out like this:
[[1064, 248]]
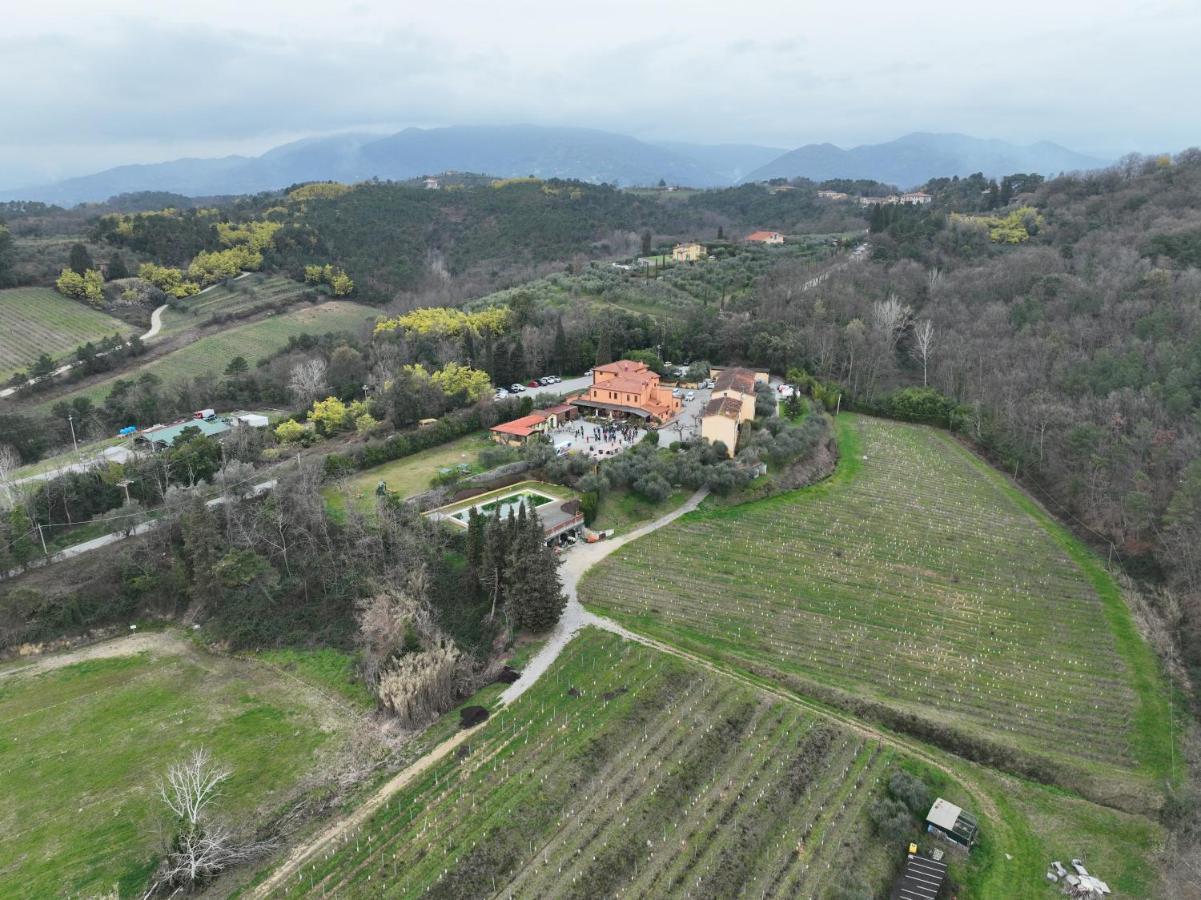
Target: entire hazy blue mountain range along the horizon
[[587, 154]]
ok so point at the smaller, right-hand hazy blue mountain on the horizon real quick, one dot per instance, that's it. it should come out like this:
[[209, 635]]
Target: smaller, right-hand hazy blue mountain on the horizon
[[916, 159]]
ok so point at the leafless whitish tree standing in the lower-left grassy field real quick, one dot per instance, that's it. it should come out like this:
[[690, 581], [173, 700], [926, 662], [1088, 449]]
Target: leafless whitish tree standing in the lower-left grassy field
[[200, 849]]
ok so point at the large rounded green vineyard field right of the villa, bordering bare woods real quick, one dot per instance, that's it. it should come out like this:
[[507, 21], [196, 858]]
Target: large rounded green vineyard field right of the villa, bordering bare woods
[[921, 589]]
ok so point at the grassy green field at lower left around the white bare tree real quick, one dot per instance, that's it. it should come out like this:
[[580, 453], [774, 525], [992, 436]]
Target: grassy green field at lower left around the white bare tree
[[83, 748]]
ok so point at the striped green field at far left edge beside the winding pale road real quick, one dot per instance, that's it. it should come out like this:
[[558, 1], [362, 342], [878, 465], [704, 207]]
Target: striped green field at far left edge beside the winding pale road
[[40, 320]]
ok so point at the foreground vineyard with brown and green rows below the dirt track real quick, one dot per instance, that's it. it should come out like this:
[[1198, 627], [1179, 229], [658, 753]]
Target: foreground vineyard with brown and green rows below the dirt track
[[625, 772]]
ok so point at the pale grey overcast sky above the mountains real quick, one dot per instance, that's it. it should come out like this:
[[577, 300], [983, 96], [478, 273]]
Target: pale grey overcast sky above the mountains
[[87, 85]]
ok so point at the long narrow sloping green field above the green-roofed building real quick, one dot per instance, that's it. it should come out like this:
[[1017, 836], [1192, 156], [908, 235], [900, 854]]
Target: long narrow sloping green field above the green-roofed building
[[212, 355]]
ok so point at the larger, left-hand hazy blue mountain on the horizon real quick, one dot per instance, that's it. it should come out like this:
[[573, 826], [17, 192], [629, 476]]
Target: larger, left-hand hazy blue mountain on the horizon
[[506, 152]]
